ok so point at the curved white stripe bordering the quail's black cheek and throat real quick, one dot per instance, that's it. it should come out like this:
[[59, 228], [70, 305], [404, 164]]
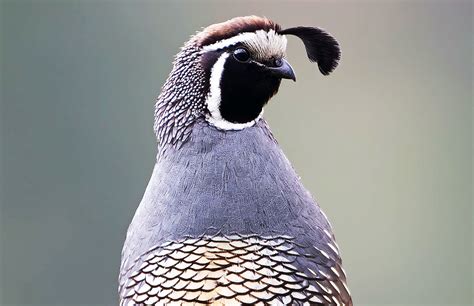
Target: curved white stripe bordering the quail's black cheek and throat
[[213, 99]]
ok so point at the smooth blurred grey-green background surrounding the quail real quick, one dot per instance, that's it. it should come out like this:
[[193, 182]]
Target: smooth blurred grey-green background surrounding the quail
[[384, 143]]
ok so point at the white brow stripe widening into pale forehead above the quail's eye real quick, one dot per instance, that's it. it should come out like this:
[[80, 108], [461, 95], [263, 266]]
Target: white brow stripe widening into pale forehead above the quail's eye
[[260, 42]]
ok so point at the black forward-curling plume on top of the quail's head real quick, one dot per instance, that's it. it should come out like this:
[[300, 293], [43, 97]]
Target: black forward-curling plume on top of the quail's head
[[320, 47]]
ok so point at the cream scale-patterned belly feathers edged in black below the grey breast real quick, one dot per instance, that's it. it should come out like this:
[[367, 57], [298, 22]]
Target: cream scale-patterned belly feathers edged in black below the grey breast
[[234, 269]]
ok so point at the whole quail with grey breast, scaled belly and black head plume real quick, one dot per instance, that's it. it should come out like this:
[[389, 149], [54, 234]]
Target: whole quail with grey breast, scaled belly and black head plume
[[225, 219]]
